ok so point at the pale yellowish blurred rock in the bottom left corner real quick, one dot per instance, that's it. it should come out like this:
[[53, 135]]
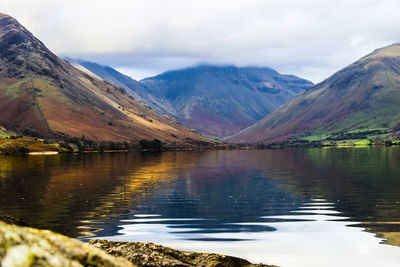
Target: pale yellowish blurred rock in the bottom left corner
[[23, 246]]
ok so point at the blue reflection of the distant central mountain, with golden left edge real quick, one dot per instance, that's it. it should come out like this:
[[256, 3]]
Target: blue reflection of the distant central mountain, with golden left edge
[[206, 186]]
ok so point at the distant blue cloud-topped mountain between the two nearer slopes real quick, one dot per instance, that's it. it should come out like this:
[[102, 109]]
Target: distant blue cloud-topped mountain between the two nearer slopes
[[215, 100]]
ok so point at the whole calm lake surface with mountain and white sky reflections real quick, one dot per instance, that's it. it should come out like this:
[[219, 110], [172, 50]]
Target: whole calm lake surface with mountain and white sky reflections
[[299, 207]]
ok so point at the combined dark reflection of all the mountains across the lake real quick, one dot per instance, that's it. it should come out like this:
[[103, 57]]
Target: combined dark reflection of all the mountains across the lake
[[201, 194]]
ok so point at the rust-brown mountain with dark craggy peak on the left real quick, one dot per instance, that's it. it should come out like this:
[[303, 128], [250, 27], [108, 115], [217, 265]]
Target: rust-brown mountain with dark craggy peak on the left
[[43, 93]]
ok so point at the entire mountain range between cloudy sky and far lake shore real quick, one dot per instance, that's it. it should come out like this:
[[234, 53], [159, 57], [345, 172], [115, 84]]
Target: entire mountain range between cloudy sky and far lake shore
[[42, 95]]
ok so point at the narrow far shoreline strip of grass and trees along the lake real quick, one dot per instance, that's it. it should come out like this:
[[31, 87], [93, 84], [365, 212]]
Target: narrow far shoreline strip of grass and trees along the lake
[[26, 145]]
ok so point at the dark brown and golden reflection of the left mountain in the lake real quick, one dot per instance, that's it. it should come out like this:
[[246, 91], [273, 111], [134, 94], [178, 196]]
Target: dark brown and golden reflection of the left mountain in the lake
[[62, 192]]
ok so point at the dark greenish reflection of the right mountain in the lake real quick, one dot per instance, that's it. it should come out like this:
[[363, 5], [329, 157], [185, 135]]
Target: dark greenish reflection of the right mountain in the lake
[[363, 183]]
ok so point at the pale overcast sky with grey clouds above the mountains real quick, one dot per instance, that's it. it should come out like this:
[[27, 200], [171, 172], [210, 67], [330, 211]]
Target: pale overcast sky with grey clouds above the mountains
[[308, 38]]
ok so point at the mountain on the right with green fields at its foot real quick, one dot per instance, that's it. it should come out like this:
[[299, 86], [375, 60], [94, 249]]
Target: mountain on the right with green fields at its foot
[[360, 100]]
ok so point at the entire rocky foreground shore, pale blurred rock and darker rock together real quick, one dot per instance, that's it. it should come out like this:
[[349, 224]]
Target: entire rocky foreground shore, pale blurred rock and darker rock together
[[25, 246]]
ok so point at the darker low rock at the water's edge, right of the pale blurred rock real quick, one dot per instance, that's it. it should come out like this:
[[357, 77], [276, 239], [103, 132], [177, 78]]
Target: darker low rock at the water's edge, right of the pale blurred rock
[[149, 254]]
